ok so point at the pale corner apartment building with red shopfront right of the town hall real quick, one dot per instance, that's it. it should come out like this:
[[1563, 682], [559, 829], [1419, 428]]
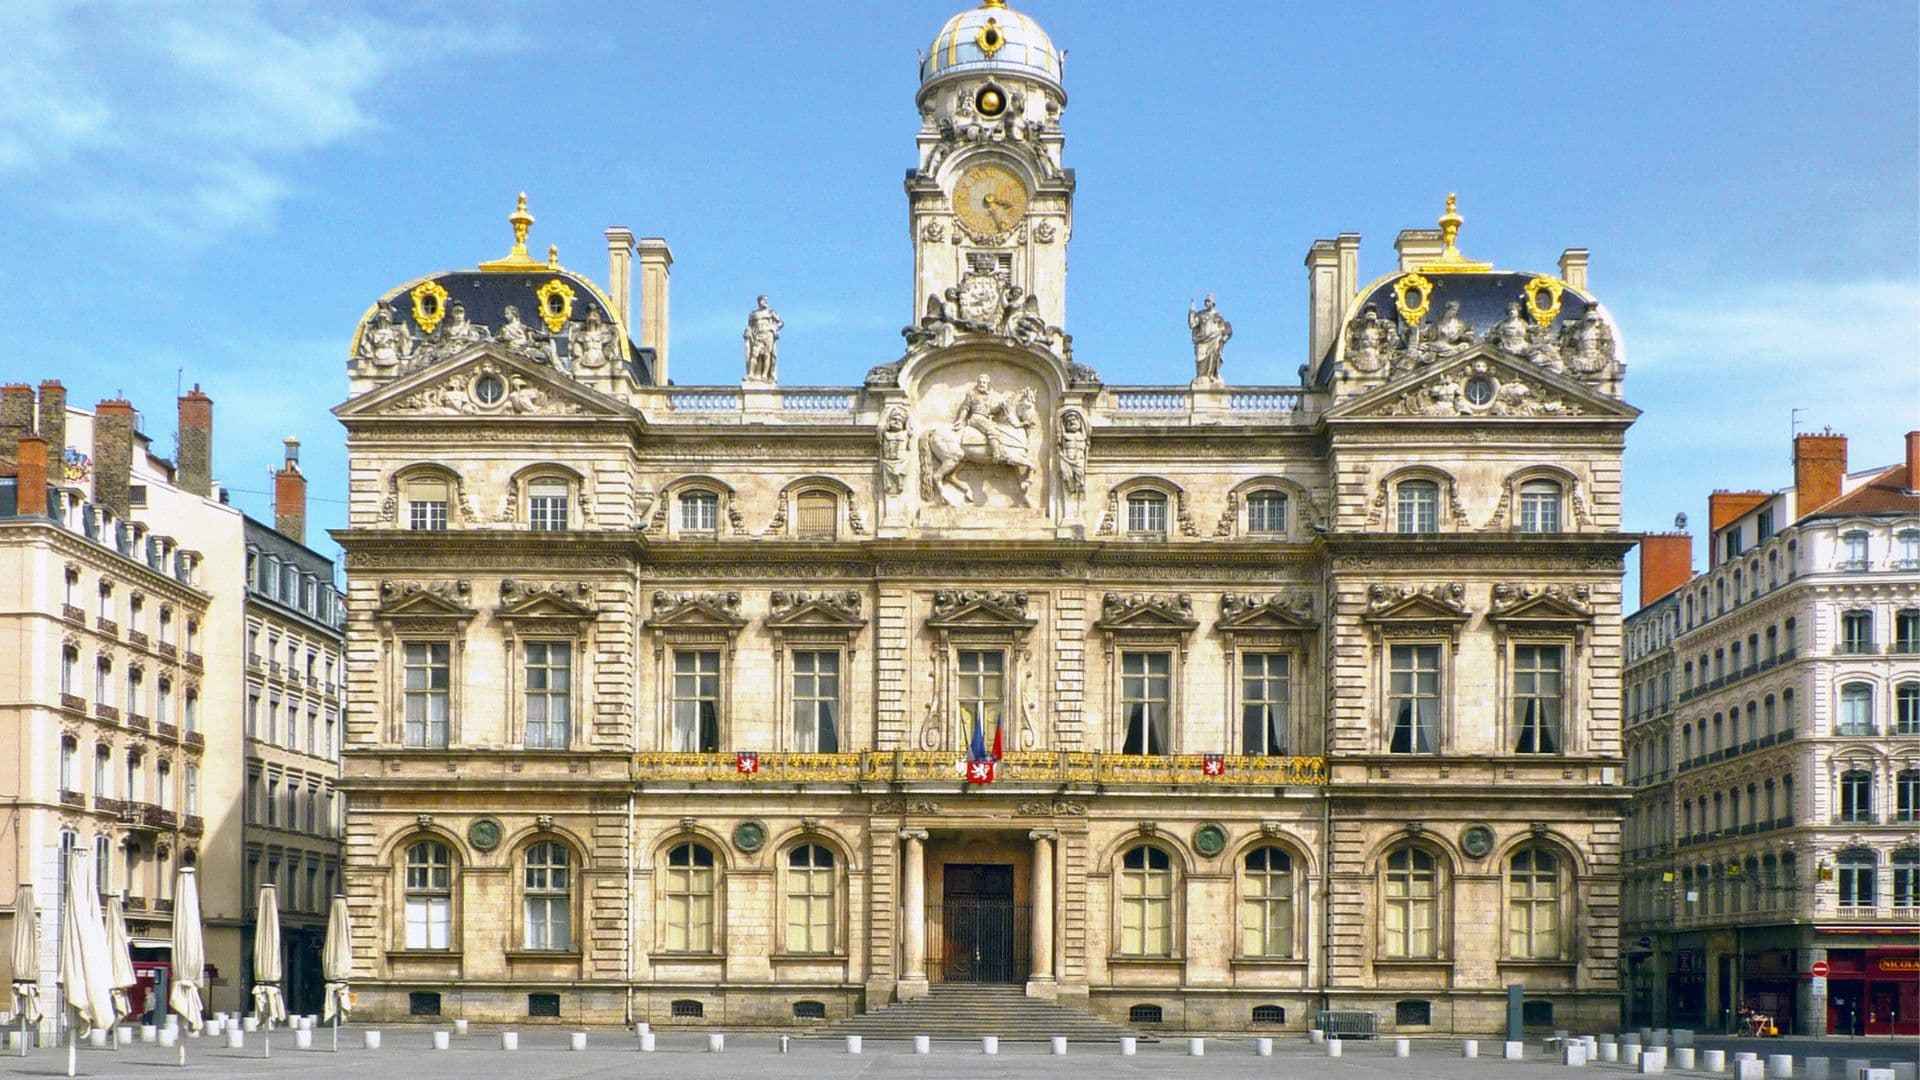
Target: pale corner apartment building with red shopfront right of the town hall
[[1777, 810]]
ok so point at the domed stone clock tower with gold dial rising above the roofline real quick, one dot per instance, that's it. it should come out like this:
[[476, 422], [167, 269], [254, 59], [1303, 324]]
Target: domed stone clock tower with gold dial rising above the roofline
[[988, 195]]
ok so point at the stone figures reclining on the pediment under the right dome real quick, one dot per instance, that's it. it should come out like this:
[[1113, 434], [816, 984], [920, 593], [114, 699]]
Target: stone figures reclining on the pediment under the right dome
[[1583, 347]]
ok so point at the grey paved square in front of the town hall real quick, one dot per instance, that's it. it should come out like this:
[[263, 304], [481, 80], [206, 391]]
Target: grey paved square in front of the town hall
[[544, 1056]]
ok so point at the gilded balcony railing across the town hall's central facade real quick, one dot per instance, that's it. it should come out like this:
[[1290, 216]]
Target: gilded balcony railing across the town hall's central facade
[[1019, 768]]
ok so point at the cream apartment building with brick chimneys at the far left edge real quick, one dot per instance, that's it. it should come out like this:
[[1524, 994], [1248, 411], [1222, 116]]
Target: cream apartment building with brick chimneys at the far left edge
[[122, 624]]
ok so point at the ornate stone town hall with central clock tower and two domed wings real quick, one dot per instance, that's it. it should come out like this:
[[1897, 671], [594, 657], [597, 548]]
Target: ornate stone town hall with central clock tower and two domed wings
[[1199, 706]]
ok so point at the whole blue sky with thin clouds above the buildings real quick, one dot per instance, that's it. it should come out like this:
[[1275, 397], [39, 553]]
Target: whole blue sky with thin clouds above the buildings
[[216, 193]]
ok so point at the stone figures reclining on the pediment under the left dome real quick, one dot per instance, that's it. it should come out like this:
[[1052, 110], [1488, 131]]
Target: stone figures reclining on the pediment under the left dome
[[391, 347]]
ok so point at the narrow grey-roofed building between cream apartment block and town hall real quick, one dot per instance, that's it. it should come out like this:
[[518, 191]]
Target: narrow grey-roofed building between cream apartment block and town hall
[[293, 731]]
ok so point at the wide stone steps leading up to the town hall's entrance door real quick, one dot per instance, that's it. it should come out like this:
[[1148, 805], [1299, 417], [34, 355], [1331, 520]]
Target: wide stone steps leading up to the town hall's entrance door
[[969, 1012]]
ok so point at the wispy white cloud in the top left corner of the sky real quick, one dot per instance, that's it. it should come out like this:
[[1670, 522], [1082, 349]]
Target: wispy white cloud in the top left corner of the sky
[[187, 120]]
